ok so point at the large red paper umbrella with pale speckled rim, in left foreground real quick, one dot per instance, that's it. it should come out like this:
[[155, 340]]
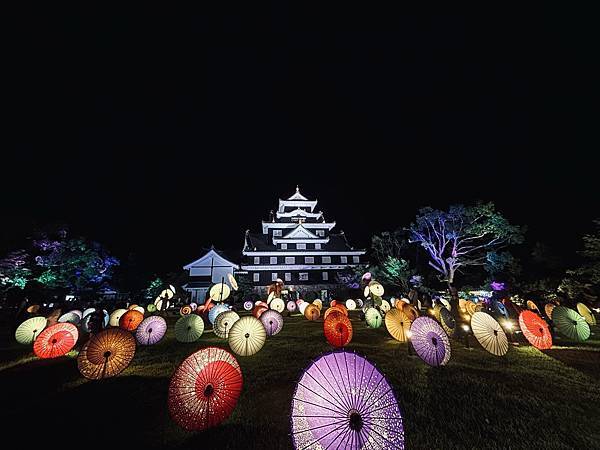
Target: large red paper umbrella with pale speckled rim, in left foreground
[[204, 389]]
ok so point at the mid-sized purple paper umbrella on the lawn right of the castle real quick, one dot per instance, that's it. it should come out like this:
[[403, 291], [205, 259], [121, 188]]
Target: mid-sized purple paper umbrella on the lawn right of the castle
[[430, 341]]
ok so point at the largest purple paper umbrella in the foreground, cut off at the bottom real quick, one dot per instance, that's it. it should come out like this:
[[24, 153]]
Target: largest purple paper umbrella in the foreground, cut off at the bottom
[[343, 401]]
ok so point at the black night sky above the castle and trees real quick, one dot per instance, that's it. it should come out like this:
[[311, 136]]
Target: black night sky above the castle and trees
[[160, 134]]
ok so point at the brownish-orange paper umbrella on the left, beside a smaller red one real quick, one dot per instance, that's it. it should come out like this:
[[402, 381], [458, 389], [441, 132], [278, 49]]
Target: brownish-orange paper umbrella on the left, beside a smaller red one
[[106, 354]]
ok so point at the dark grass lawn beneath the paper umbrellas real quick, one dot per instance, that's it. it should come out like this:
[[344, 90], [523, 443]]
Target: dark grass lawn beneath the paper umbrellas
[[527, 399]]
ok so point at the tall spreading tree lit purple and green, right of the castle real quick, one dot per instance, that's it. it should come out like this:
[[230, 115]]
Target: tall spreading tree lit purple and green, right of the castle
[[461, 238]]
